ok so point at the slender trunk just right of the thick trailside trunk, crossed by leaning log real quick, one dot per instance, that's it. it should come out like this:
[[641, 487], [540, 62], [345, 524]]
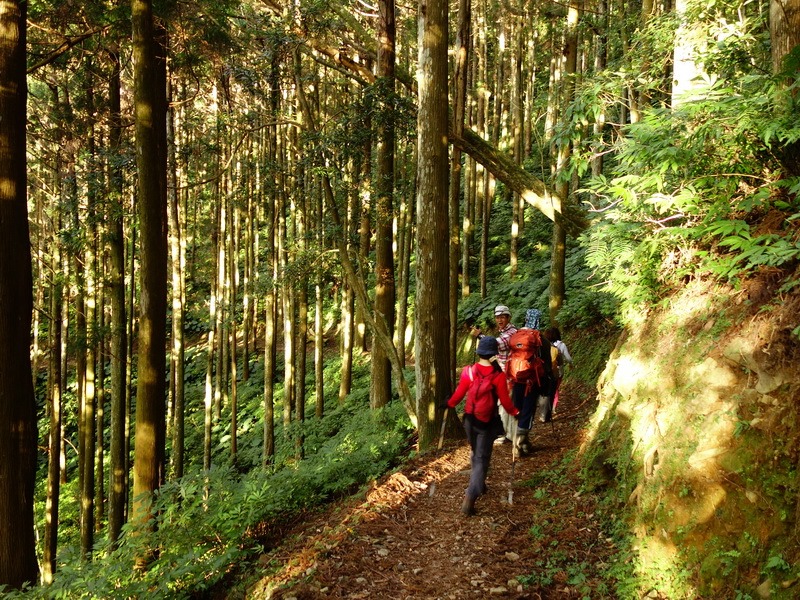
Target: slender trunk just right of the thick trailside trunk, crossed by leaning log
[[459, 112]]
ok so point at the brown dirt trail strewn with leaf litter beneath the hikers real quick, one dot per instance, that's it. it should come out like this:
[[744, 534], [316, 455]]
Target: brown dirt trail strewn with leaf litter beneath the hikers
[[408, 538]]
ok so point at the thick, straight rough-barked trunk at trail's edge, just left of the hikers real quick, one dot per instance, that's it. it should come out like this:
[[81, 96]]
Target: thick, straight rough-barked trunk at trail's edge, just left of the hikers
[[431, 345]]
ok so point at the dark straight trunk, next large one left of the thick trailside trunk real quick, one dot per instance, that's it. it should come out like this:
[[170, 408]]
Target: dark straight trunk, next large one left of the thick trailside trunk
[[381, 370]]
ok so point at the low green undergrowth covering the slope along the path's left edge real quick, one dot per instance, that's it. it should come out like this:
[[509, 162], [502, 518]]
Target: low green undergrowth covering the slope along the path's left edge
[[208, 522]]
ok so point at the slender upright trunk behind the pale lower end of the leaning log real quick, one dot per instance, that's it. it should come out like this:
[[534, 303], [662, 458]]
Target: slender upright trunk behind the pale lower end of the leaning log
[[559, 249]]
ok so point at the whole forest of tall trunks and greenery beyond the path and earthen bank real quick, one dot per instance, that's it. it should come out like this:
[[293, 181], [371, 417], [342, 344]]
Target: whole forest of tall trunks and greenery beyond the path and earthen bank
[[226, 227]]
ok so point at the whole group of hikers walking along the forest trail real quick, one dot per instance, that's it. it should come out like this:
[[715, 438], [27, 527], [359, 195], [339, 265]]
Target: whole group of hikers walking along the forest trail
[[514, 382]]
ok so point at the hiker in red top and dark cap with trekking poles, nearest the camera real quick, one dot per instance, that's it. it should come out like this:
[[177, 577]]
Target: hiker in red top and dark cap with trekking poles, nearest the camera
[[483, 383]]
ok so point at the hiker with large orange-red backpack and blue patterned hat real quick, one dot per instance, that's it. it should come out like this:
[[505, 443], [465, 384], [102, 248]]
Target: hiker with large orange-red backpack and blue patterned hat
[[530, 373]]
